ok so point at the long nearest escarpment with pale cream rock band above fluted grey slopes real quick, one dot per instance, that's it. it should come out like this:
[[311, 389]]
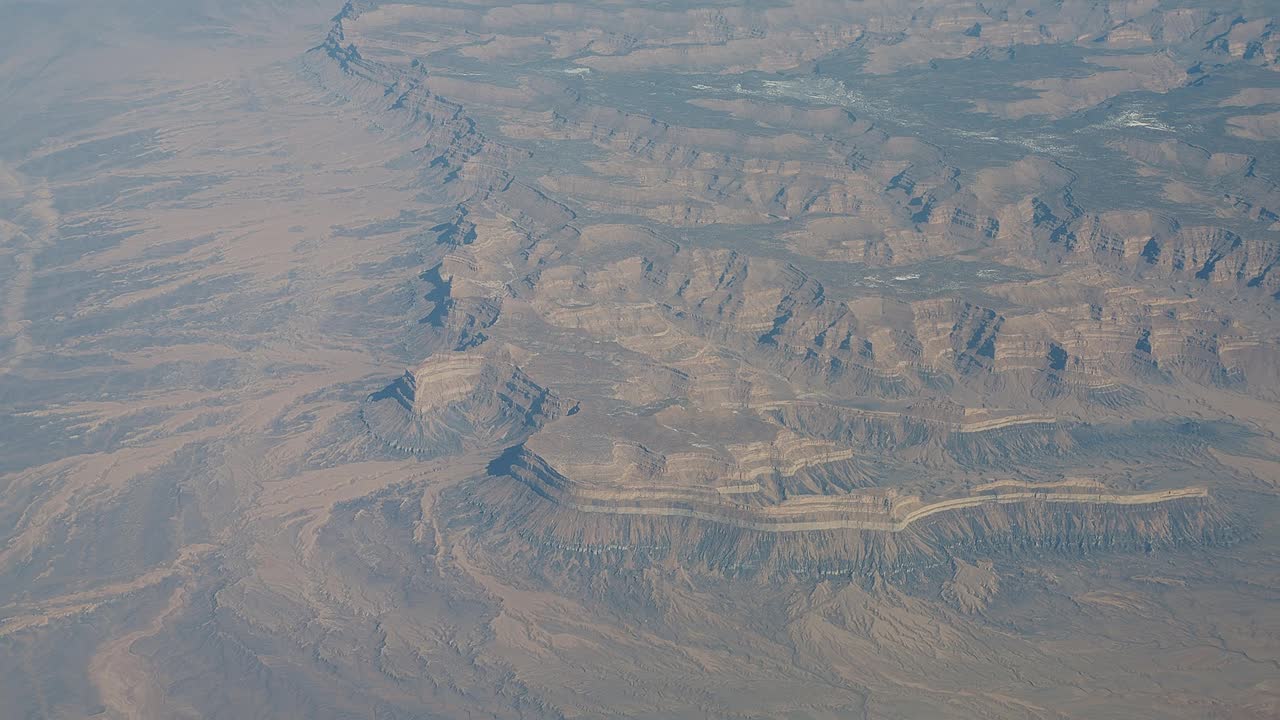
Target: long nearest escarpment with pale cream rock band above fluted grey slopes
[[531, 509]]
